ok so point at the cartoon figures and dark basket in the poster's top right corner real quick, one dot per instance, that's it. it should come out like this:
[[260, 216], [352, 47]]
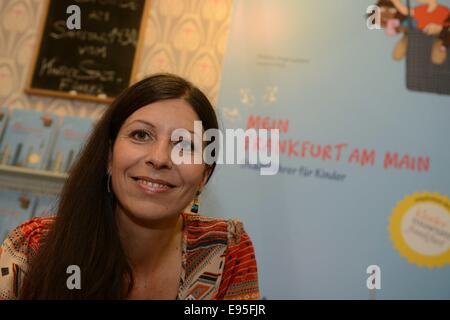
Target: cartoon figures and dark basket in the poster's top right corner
[[425, 40]]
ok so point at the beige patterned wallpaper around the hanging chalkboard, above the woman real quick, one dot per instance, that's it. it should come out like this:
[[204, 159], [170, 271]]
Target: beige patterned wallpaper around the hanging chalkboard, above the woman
[[186, 37]]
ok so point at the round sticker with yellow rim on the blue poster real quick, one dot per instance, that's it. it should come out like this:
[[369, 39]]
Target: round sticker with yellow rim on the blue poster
[[420, 229]]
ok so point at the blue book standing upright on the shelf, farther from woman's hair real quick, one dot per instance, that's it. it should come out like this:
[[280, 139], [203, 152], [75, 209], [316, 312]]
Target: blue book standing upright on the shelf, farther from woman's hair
[[27, 139]]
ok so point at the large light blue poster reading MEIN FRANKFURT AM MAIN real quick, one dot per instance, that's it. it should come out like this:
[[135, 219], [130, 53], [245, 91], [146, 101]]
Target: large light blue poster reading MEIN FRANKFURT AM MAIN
[[363, 178]]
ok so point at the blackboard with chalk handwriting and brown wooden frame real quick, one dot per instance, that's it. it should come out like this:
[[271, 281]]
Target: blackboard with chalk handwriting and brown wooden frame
[[95, 62]]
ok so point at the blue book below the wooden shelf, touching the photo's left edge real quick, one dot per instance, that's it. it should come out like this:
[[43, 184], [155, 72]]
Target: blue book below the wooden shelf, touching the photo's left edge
[[15, 208]]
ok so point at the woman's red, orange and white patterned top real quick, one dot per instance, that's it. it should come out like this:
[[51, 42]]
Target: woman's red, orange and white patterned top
[[218, 259]]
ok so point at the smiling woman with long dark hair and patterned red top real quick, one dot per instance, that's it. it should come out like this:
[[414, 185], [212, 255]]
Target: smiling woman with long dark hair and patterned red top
[[121, 217]]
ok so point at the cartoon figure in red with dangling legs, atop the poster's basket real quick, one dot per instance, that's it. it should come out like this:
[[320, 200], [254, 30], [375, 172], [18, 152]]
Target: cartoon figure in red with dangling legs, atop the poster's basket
[[430, 17]]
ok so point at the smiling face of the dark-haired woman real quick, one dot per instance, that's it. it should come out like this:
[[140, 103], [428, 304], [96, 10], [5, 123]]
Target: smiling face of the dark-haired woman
[[147, 184]]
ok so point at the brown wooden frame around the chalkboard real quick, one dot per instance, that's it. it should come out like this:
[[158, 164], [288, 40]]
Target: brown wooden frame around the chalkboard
[[79, 96]]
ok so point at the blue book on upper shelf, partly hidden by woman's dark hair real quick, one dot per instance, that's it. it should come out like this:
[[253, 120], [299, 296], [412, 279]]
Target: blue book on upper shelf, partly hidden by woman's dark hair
[[72, 135]]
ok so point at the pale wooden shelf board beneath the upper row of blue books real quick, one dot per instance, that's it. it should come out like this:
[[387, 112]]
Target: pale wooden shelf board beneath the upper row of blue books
[[36, 181]]
